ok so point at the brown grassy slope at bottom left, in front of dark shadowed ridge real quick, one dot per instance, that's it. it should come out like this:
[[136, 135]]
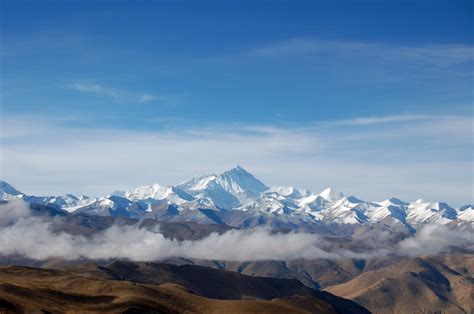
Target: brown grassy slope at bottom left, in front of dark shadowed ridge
[[24, 289]]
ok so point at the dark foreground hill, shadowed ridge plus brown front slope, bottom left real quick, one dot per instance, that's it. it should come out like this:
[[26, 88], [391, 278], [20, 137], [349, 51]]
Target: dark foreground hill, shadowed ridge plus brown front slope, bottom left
[[118, 288]]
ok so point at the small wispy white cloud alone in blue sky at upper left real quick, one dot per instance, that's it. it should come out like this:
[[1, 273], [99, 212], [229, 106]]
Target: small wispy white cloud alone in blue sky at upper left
[[119, 94]]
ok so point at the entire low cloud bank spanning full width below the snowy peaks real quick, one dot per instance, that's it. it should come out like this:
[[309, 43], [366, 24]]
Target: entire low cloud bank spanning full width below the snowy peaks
[[32, 237]]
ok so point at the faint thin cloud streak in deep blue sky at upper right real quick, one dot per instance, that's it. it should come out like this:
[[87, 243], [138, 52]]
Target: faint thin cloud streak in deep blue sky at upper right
[[439, 55]]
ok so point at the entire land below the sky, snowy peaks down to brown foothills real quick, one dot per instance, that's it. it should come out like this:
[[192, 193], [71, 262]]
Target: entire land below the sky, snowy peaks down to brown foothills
[[378, 254]]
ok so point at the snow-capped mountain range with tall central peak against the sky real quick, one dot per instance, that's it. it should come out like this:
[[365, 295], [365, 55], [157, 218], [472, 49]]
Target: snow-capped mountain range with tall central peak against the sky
[[235, 197]]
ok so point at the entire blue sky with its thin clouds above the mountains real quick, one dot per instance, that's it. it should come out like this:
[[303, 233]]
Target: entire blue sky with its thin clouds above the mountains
[[381, 89]]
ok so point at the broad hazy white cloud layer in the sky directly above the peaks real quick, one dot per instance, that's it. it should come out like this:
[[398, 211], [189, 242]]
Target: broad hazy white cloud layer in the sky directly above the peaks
[[427, 158]]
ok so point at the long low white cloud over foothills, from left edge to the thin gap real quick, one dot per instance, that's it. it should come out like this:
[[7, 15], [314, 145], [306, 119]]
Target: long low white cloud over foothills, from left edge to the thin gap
[[32, 237]]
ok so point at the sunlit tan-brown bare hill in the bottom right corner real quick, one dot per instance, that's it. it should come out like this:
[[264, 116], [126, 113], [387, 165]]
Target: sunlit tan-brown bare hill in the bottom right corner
[[421, 285]]
